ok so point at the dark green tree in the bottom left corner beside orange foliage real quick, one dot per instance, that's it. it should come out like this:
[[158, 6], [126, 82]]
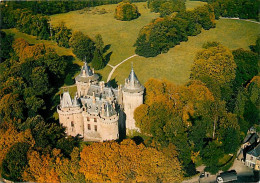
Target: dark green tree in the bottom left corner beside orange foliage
[[15, 162]]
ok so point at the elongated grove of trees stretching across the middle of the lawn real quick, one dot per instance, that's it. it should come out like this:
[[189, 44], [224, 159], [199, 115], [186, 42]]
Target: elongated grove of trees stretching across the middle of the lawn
[[164, 33]]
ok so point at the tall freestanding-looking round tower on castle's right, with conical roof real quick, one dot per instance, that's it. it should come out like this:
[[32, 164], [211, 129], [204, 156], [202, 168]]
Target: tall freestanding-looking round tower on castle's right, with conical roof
[[133, 92]]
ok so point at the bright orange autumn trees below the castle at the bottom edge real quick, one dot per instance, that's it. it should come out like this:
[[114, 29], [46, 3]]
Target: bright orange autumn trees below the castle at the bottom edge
[[110, 161]]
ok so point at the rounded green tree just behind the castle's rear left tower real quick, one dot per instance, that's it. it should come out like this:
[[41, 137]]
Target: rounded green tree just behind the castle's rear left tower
[[82, 45]]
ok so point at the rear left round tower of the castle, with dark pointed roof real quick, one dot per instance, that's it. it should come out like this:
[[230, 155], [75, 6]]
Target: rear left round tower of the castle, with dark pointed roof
[[84, 79]]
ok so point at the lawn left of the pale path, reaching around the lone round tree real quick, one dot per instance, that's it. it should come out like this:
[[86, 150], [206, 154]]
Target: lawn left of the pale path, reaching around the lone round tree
[[121, 35]]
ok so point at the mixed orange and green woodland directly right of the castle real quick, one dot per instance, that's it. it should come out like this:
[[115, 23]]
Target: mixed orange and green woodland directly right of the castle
[[210, 115]]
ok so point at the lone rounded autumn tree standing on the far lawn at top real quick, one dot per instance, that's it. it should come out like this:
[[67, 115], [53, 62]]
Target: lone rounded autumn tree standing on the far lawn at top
[[126, 11]]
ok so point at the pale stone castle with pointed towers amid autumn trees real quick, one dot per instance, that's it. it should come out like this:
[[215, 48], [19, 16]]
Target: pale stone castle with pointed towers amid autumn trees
[[97, 111]]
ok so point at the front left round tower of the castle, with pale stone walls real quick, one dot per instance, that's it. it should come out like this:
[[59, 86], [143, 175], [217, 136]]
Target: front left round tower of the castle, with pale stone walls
[[70, 114]]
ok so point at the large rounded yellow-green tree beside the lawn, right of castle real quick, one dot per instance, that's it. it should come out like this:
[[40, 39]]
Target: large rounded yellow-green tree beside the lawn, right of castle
[[215, 67]]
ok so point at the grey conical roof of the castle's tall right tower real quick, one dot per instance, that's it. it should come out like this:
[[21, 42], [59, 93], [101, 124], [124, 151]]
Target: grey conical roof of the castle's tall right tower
[[132, 84]]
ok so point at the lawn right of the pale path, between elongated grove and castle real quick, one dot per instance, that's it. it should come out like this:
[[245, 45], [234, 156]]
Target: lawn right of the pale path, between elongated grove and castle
[[175, 65]]
